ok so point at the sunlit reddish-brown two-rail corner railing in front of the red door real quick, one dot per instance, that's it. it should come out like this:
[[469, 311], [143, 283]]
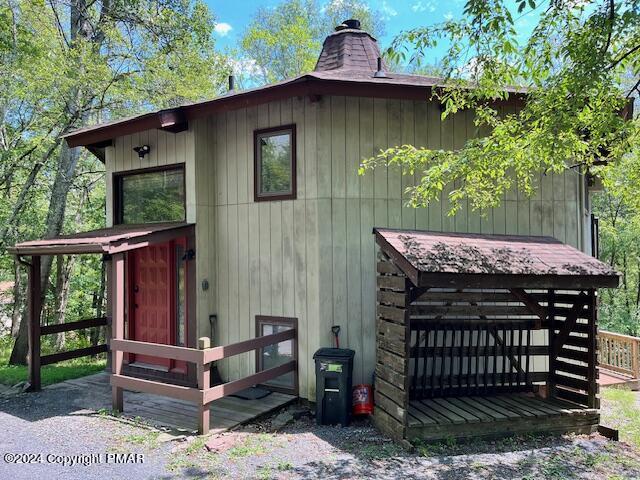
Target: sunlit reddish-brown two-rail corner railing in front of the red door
[[204, 394]]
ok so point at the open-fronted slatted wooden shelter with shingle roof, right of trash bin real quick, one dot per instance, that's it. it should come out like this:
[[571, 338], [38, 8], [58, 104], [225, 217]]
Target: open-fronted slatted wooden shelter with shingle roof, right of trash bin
[[485, 335]]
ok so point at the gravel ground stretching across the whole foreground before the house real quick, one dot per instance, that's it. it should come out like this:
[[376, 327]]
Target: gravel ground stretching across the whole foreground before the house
[[64, 422]]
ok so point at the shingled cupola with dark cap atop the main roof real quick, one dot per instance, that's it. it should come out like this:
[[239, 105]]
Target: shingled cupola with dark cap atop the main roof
[[349, 48]]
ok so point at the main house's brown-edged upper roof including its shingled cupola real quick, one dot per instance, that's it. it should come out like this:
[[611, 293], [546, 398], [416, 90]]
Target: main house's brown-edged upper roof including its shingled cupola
[[346, 66]]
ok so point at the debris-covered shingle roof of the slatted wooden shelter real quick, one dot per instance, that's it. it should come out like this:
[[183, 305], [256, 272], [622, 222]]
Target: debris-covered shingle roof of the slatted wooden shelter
[[492, 261]]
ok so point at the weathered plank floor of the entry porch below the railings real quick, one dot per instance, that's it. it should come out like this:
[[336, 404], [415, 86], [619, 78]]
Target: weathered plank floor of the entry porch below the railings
[[226, 413]]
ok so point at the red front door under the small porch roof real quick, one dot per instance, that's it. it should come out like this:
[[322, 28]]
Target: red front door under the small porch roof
[[151, 302]]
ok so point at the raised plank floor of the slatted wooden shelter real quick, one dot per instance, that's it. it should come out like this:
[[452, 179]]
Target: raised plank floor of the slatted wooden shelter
[[496, 416]]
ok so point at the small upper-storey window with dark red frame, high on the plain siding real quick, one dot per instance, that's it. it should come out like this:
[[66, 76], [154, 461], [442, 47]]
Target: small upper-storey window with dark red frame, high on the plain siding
[[275, 163]]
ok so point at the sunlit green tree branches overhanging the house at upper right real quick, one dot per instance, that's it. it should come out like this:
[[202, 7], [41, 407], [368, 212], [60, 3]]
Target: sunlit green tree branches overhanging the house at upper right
[[572, 70]]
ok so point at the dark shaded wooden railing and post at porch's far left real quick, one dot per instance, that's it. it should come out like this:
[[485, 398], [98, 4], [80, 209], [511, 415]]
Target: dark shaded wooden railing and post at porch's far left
[[36, 360]]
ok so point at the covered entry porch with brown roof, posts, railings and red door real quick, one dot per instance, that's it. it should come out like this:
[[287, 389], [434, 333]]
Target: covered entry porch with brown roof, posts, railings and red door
[[151, 324]]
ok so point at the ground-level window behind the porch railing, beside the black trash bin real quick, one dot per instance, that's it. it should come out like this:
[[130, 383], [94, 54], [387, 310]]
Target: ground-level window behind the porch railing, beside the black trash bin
[[274, 355]]
